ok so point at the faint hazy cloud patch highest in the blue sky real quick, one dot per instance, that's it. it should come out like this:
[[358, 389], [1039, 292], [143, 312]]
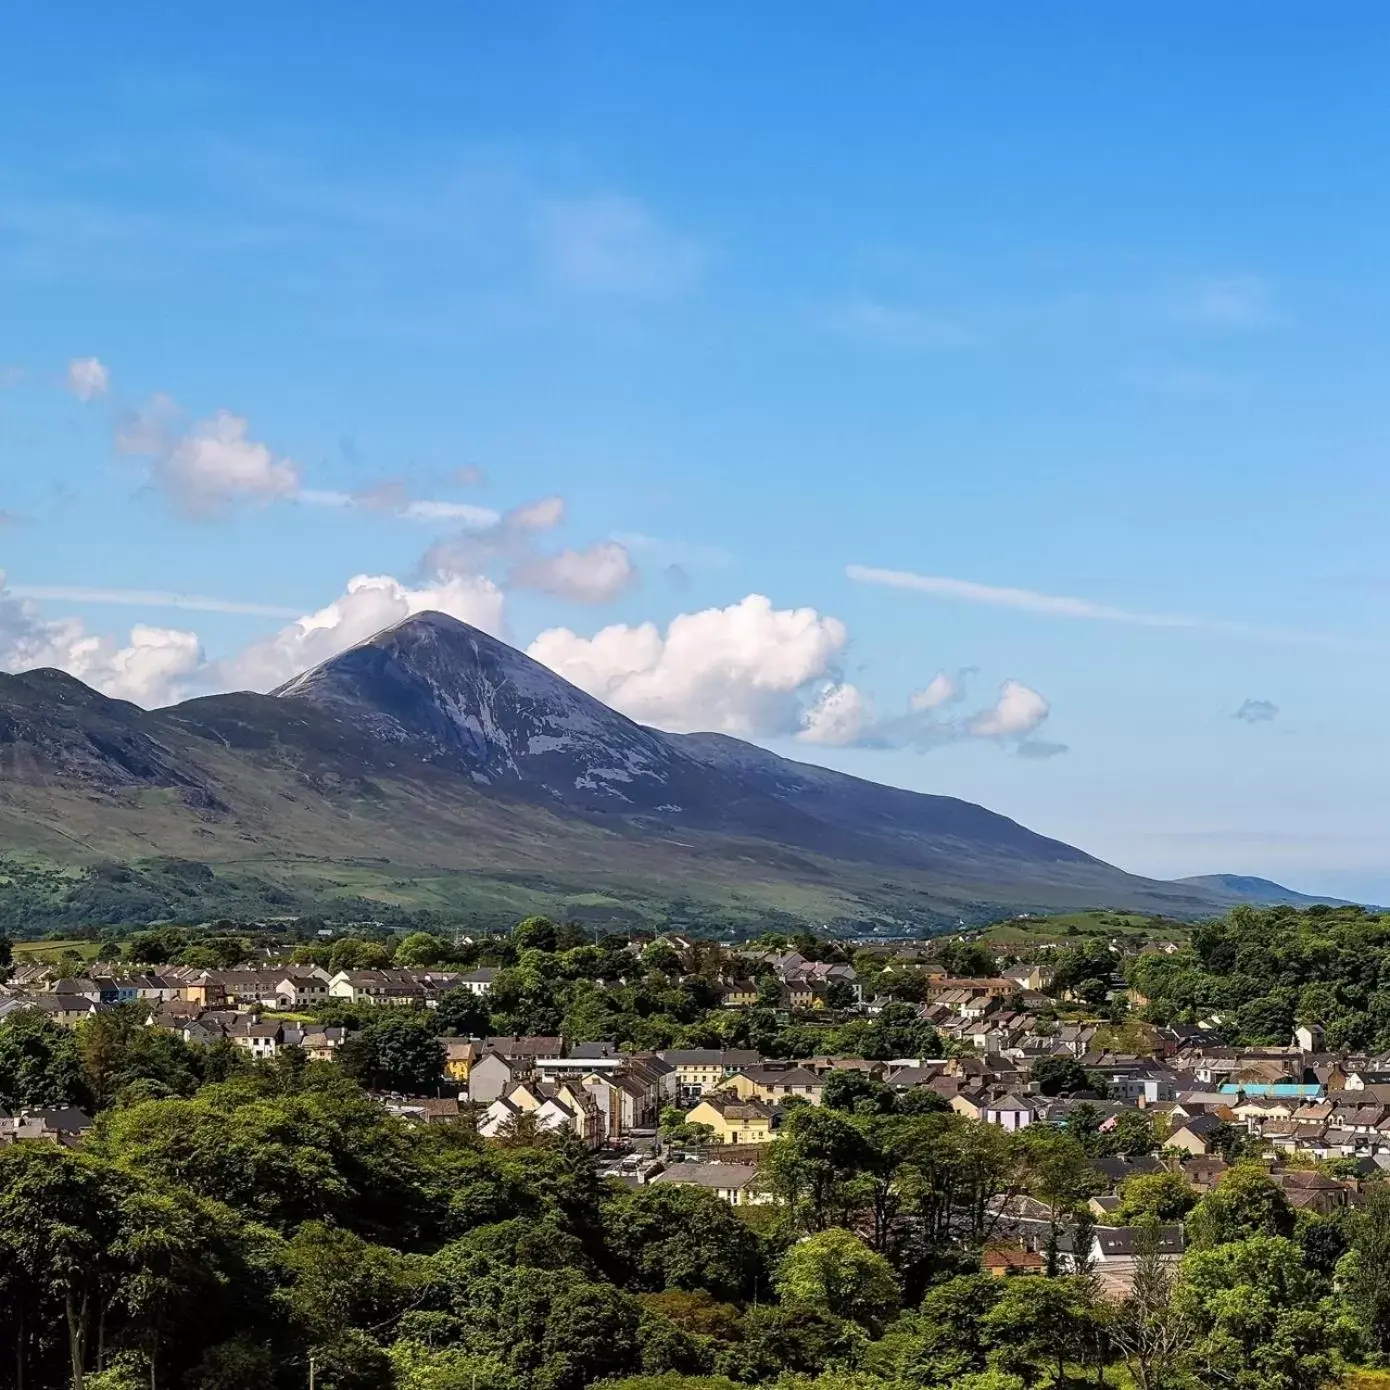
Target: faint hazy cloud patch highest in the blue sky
[[614, 245]]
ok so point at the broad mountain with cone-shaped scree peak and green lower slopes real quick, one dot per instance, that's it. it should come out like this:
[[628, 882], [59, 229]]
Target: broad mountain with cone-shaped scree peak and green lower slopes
[[437, 767]]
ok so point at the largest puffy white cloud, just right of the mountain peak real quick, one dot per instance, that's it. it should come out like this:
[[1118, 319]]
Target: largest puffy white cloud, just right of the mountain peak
[[747, 669]]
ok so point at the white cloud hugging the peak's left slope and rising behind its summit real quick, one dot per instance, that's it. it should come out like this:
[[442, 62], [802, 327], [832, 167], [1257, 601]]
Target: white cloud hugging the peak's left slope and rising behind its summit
[[369, 605]]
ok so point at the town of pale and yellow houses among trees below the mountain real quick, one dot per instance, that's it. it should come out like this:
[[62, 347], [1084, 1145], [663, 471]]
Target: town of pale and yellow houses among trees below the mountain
[[1047, 1033]]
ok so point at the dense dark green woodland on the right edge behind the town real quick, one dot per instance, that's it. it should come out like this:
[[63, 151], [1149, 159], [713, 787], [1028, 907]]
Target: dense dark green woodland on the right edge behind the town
[[1266, 971]]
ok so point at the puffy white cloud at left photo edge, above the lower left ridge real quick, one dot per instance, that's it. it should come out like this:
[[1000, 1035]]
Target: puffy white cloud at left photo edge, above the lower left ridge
[[144, 669]]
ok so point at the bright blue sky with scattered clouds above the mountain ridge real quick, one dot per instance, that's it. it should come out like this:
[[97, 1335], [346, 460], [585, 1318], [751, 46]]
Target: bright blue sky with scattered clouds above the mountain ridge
[[913, 322]]
